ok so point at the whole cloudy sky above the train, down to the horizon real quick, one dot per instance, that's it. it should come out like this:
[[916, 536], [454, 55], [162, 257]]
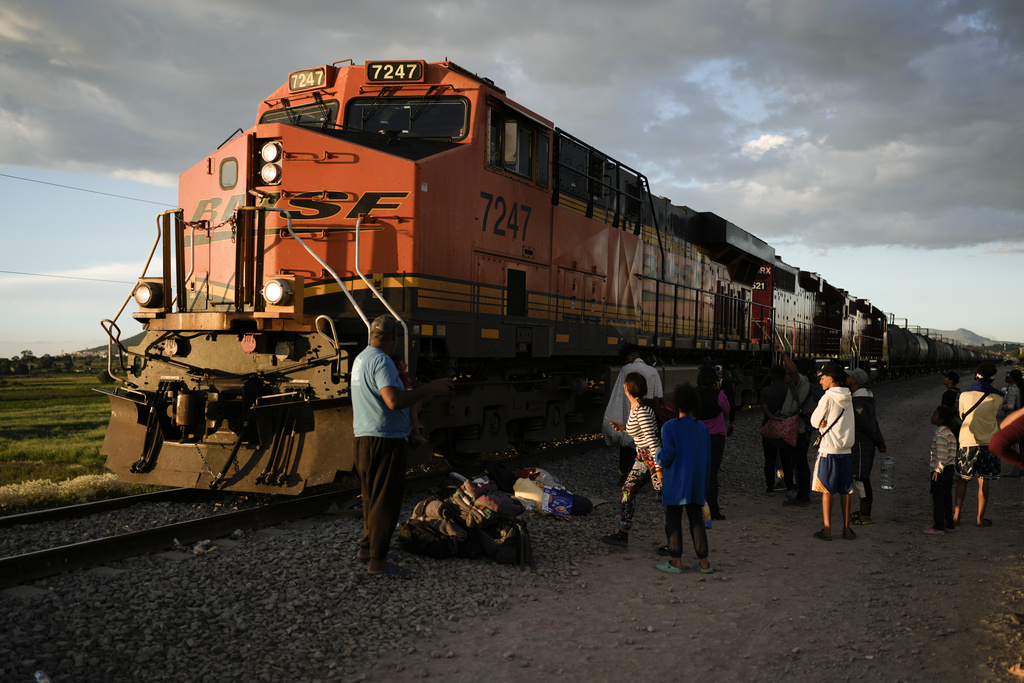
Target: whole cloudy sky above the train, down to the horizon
[[878, 143]]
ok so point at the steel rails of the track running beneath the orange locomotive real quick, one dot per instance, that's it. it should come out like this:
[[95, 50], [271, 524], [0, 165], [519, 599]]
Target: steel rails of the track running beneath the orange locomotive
[[40, 565]]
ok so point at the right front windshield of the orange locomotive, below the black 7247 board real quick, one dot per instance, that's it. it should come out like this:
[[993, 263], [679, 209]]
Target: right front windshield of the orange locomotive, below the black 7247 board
[[410, 117]]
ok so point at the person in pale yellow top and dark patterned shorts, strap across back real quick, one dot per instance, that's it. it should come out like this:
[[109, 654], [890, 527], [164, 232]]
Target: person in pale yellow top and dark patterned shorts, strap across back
[[978, 409]]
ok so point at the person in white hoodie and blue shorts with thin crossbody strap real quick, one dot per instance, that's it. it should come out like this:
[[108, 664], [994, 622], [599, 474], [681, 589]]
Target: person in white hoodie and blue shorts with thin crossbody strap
[[834, 418]]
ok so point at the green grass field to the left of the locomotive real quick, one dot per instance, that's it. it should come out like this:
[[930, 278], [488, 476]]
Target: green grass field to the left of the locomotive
[[52, 428]]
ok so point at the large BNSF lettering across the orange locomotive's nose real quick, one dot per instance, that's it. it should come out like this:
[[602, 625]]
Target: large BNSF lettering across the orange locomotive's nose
[[307, 206]]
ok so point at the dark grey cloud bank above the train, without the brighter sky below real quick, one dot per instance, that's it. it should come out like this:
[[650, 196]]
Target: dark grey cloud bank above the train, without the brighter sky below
[[863, 123]]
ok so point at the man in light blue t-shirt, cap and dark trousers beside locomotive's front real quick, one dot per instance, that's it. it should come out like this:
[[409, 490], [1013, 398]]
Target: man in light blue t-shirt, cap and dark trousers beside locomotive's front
[[381, 428]]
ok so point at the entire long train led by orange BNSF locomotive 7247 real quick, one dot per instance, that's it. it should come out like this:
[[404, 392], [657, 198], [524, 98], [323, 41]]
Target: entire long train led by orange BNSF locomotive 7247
[[517, 258]]
